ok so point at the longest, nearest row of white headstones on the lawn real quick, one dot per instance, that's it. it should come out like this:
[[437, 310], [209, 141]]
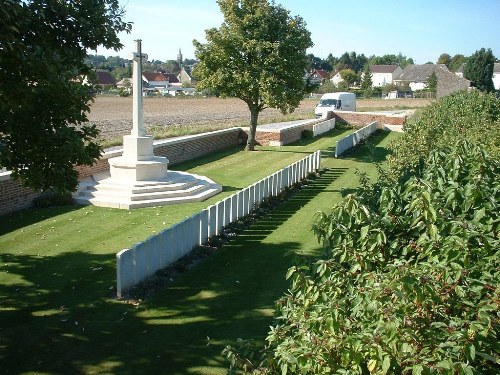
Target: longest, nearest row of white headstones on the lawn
[[145, 258]]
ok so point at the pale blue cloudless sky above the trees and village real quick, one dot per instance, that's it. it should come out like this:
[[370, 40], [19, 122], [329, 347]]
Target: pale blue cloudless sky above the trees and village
[[421, 29]]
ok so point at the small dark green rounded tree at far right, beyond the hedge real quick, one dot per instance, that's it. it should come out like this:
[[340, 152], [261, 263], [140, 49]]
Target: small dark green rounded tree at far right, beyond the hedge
[[479, 70]]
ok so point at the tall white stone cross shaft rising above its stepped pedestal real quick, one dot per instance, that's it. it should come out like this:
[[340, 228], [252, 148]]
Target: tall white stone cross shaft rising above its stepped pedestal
[[137, 57]]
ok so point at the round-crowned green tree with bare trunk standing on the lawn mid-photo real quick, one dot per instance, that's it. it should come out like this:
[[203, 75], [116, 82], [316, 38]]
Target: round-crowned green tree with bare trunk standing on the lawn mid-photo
[[258, 54]]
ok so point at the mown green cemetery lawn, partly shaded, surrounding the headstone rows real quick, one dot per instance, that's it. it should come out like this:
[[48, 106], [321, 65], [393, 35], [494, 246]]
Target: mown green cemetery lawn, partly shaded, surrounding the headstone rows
[[57, 310]]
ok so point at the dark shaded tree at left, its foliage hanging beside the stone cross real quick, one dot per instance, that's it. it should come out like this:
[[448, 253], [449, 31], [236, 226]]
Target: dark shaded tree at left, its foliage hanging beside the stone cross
[[43, 101]]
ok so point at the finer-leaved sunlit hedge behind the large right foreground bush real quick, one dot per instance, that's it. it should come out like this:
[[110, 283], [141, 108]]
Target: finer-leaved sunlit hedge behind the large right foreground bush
[[471, 116]]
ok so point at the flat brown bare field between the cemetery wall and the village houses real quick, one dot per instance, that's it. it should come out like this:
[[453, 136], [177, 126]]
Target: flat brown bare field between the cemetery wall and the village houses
[[113, 115]]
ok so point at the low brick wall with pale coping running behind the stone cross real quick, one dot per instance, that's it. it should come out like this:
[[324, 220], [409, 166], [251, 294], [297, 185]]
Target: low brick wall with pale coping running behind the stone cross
[[15, 197]]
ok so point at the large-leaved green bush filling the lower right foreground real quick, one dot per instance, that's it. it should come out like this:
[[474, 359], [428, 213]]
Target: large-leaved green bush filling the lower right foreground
[[409, 282]]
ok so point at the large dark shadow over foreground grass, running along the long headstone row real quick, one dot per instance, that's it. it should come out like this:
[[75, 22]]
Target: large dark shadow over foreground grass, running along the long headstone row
[[58, 316]]
